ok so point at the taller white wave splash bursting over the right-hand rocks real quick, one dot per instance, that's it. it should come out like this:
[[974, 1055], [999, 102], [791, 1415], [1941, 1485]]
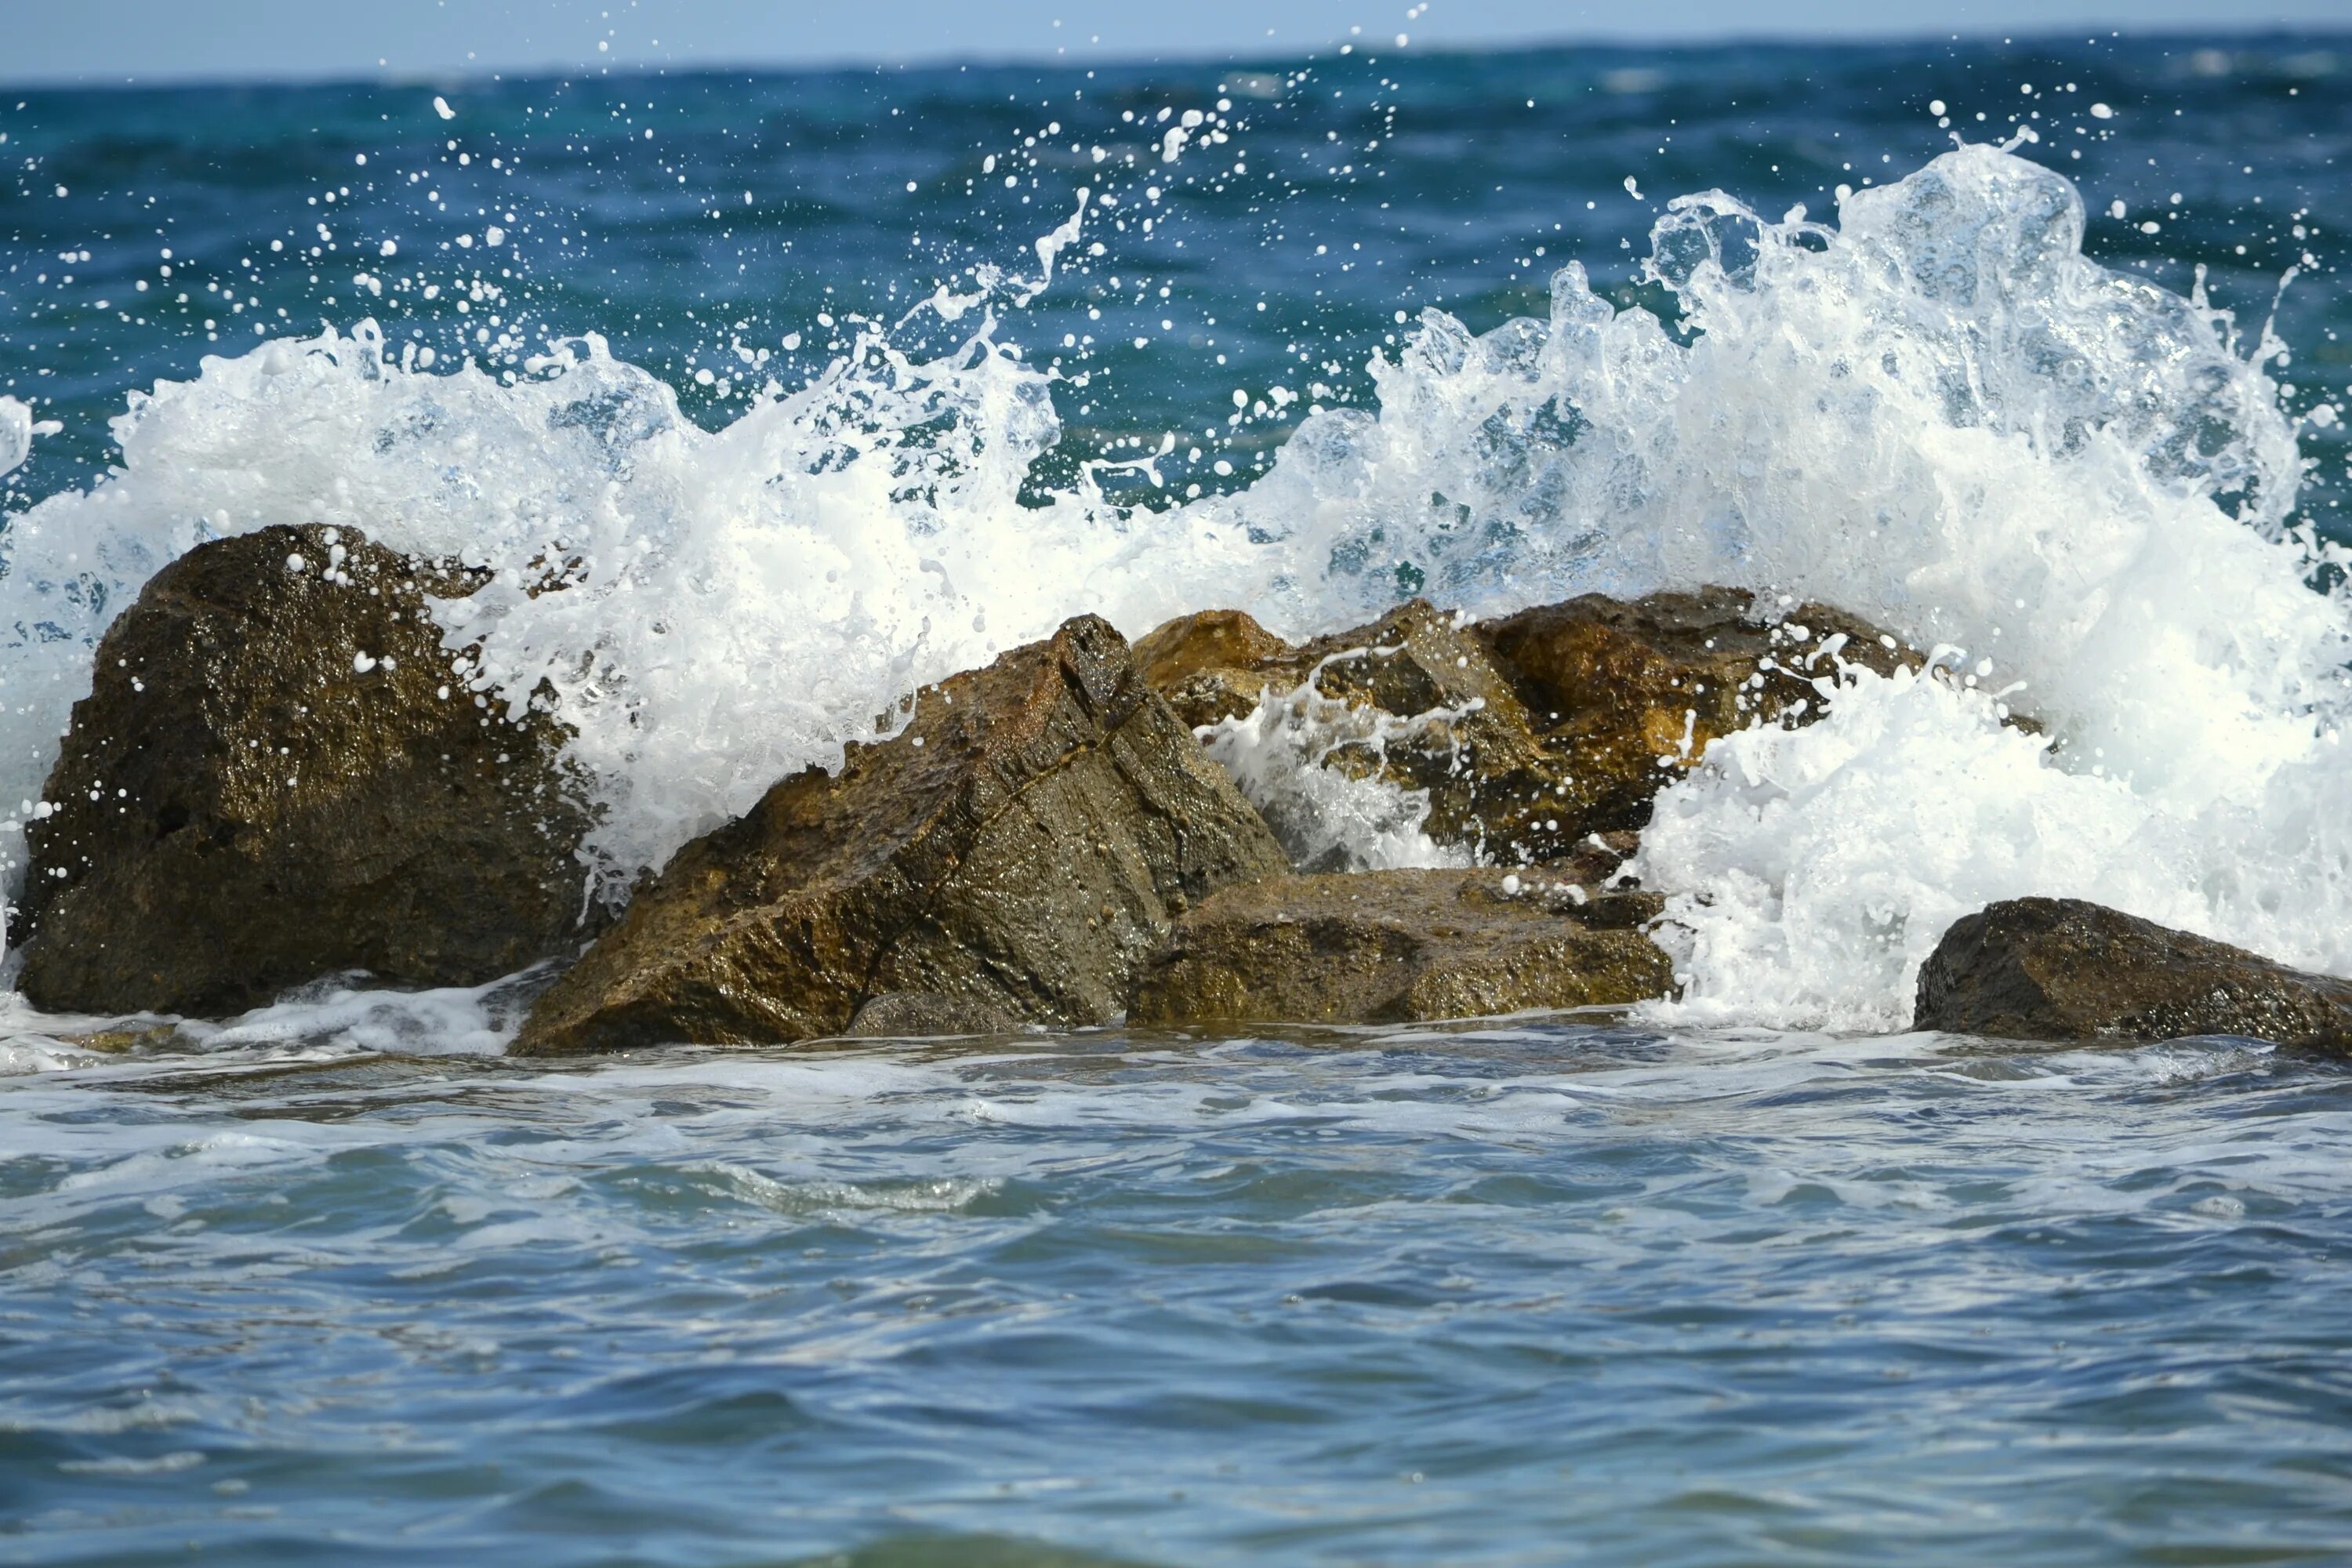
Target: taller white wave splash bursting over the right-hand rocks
[[1944, 417]]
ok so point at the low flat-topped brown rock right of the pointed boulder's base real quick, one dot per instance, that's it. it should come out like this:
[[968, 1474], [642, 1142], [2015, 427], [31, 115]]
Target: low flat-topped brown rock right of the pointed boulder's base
[[1403, 946]]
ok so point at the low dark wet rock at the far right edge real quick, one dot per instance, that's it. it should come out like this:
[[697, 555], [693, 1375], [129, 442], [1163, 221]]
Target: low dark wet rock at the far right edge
[[2071, 970]]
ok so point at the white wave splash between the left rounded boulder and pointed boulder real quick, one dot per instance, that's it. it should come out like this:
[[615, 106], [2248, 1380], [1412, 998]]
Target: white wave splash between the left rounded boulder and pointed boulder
[[709, 612]]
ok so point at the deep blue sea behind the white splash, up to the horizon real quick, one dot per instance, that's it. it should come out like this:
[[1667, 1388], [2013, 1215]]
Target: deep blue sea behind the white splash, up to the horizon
[[1474, 163]]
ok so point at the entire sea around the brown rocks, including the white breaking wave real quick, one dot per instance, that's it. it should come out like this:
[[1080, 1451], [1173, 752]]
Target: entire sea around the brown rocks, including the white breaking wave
[[838, 382]]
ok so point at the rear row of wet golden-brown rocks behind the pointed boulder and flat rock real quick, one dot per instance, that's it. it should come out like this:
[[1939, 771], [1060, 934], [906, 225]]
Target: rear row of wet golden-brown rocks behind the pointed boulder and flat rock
[[1539, 730]]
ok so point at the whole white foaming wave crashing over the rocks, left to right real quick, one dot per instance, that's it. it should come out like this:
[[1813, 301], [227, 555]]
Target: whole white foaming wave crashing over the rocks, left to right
[[1937, 415]]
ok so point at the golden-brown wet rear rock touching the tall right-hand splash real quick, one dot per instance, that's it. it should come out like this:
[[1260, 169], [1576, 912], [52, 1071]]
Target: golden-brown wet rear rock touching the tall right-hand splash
[[1631, 692]]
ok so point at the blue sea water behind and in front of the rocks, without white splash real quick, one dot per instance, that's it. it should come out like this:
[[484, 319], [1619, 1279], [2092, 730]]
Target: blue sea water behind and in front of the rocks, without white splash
[[340, 1285]]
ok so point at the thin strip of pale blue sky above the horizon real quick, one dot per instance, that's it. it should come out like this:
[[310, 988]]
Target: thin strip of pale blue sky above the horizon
[[112, 41]]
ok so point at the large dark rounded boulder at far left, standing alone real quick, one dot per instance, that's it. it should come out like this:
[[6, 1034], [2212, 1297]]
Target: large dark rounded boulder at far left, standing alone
[[279, 777]]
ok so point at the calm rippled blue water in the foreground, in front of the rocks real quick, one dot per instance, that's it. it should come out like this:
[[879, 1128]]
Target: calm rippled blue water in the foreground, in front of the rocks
[[1490, 1294]]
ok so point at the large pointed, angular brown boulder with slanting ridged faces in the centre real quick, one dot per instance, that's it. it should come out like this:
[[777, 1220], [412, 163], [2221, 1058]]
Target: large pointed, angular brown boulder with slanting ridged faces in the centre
[[1013, 857]]
